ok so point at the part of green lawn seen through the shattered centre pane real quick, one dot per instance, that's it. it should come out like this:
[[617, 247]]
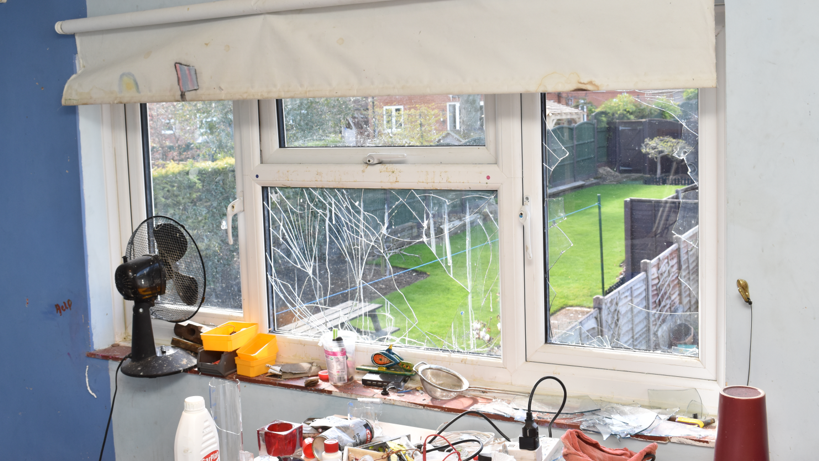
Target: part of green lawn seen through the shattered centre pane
[[439, 302]]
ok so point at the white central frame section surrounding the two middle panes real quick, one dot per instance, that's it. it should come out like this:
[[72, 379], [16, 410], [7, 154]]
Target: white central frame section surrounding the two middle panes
[[348, 171]]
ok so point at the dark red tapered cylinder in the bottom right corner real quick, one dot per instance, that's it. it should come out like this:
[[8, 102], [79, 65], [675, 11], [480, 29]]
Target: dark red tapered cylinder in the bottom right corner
[[742, 433]]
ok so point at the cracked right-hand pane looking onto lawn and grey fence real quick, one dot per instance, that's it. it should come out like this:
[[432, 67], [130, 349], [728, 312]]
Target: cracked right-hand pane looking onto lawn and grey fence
[[623, 207]]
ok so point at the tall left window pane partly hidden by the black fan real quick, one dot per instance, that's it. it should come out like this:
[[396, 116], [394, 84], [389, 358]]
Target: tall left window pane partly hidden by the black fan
[[193, 180]]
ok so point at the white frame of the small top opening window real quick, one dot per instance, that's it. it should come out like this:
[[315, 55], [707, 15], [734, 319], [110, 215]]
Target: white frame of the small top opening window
[[487, 154]]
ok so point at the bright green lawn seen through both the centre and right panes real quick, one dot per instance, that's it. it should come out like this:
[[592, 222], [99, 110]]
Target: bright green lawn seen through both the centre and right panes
[[438, 301]]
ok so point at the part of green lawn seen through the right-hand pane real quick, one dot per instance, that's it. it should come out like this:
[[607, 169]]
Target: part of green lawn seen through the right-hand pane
[[575, 278]]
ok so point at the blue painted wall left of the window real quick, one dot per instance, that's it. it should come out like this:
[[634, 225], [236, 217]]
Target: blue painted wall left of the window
[[47, 410]]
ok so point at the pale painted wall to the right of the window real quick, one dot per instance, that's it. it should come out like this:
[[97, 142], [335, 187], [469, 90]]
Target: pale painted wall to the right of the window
[[771, 165]]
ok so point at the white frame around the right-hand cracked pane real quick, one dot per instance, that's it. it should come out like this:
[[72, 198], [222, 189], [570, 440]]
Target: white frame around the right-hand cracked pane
[[704, 367]]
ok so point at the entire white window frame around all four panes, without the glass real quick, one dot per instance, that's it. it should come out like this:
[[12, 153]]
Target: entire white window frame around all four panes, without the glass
[[514, 142]]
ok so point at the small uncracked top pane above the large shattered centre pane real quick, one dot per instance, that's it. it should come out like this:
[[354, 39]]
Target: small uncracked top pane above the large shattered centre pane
[[385, 121]]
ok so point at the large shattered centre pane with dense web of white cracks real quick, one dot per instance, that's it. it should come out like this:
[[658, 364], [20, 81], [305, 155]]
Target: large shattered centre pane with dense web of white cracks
[[410, 267]]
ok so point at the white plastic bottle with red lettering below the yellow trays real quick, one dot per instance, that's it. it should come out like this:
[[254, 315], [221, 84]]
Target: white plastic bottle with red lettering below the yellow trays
[[196, 437]]
